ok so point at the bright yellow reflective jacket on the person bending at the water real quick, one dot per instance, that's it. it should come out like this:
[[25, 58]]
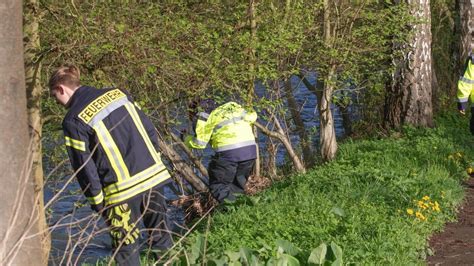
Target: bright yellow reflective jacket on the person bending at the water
[[227, 128]]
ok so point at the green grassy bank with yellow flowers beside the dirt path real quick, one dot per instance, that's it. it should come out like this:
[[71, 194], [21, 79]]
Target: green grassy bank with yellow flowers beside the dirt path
[[379, 202]]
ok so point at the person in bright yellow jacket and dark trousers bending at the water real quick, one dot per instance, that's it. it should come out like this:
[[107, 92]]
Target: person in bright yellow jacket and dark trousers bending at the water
[[228, 128]]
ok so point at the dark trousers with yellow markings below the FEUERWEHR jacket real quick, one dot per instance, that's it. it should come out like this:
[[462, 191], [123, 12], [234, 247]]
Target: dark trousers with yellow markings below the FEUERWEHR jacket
[[124, 218]]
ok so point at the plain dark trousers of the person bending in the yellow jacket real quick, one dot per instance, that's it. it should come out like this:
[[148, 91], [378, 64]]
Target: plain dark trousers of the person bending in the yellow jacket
[[227, 178]]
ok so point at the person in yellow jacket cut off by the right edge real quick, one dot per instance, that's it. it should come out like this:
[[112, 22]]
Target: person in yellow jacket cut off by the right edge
[[466, 89]]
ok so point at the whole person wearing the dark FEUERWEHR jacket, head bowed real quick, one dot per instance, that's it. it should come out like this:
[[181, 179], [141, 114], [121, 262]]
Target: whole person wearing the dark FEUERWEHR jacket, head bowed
[[113, 148]]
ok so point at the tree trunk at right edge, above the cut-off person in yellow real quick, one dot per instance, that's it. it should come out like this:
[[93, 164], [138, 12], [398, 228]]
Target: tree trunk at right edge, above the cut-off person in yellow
[[466, 12]]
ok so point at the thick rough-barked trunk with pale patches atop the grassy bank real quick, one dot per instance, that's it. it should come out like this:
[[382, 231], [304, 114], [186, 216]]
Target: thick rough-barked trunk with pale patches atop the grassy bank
[[408, 99]]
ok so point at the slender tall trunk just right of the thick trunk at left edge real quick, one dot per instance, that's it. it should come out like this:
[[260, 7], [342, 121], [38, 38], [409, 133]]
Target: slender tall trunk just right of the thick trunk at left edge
[[33, 94]]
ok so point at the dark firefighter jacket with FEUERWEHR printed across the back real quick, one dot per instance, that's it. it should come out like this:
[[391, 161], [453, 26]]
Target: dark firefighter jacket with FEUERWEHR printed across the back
[[112, 144]]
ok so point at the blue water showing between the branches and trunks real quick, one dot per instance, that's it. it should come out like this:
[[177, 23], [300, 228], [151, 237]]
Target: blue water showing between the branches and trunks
[[80, 236]]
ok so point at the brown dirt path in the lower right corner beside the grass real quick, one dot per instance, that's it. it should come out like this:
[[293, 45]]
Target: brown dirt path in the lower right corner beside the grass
[[455, 245]]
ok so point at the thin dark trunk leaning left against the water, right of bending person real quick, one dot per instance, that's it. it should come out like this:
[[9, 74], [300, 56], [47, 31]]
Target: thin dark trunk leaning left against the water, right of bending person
[[299, 124]]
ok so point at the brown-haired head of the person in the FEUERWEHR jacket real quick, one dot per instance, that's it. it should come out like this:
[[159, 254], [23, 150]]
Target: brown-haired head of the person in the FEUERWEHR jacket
[[63, 83]]
